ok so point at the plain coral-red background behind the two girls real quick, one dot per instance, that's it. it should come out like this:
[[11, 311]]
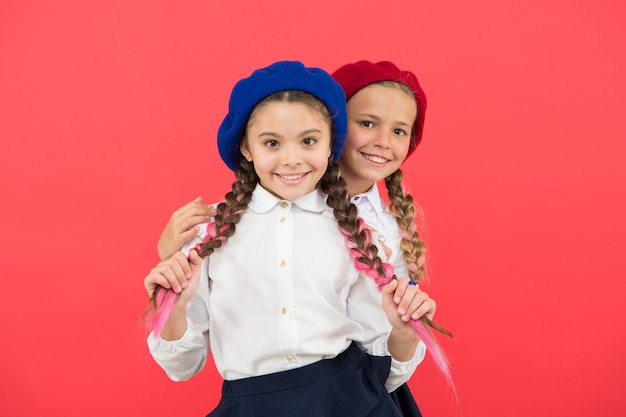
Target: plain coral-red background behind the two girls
[[108, 114]]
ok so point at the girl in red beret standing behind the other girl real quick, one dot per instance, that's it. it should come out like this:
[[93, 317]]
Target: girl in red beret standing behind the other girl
[[386, 110]]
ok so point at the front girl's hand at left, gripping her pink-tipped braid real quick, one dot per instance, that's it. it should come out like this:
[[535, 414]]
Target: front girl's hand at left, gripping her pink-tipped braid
[[176, 273]]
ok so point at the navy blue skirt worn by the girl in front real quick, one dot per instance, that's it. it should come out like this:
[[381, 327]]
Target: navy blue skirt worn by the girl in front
[[350, 385]]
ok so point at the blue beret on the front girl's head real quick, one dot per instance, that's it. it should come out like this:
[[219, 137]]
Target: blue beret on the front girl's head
[[280, 76]]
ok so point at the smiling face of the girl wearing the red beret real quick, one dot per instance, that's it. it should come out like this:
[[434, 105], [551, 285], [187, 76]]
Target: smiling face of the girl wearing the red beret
[[380, 121]]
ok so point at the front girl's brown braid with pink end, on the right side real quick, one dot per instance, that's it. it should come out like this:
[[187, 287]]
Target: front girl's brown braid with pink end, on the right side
[[365, 255]]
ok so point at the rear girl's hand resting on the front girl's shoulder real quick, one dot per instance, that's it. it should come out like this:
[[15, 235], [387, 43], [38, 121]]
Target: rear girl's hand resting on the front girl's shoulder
[[182, 226]]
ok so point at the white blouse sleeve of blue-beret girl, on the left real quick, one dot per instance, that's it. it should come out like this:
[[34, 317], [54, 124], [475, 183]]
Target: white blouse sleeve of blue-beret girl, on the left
[[185, 357]]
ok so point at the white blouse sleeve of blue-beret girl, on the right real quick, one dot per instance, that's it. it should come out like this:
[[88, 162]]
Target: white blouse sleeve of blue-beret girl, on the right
[[365, 307]]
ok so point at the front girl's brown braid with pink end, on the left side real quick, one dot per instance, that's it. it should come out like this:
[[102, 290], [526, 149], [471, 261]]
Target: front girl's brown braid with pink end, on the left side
[[228, 215]]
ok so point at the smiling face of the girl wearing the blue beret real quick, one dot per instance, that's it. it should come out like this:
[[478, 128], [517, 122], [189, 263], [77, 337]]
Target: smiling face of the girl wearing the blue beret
[[289, 145]]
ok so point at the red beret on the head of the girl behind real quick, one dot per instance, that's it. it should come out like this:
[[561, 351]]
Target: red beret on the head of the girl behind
[[354, 77]]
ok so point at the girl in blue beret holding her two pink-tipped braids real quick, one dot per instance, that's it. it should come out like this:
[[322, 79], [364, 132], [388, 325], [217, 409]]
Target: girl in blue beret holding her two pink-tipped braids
[[290, 304]]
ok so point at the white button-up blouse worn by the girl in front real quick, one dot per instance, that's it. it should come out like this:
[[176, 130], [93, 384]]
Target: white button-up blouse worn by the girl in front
[[281, 293]]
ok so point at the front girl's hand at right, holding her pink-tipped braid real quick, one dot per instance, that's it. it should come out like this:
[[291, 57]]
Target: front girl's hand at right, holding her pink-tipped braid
[[403, 302]]
